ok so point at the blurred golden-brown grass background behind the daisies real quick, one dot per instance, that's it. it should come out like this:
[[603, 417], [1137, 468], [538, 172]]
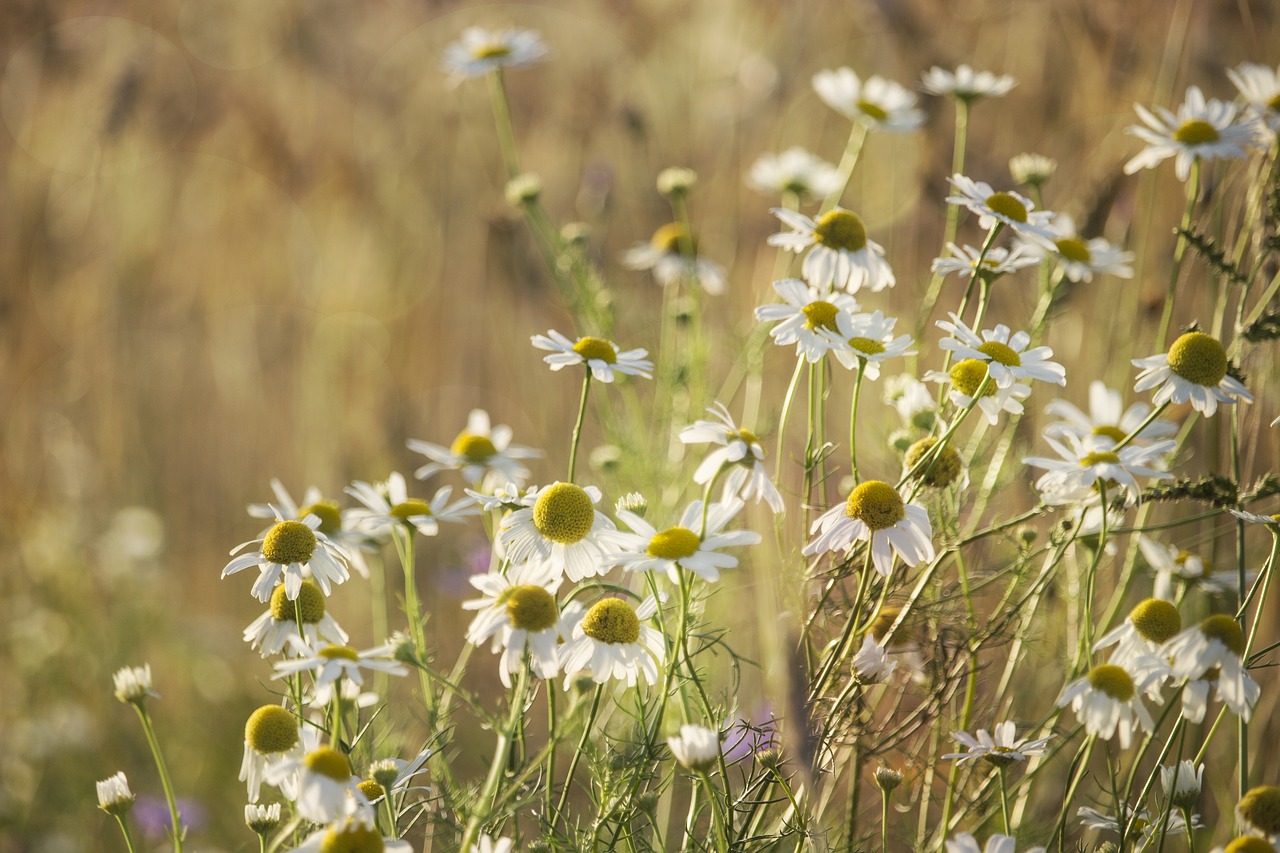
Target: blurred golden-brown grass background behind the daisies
[[254, 239]]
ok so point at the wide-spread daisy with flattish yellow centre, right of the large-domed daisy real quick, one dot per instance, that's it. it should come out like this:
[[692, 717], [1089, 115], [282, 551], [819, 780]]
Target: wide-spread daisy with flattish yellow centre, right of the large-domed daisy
[[652, 550]]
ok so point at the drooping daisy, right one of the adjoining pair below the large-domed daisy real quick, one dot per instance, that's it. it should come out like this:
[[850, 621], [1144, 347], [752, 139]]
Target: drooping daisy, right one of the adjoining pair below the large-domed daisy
[[612, 641]]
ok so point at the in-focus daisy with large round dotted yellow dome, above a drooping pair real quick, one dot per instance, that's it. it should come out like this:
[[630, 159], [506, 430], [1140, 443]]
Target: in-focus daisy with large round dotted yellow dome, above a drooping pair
[[561, 526]]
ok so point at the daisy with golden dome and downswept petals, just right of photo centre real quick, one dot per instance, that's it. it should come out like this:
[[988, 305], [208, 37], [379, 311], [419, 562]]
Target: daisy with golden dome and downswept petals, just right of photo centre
[[877, 514]]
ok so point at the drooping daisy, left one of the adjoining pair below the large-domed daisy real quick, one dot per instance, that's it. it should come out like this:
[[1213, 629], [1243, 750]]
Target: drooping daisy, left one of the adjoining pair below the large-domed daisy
[[519, 613]]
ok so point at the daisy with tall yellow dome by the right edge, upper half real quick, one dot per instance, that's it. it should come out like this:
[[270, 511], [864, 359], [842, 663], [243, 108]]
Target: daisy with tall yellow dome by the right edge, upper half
[[1194, 371]]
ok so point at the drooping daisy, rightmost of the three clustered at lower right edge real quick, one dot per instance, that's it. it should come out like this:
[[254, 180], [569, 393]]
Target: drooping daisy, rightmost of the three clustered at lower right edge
[[1212, 653]]
